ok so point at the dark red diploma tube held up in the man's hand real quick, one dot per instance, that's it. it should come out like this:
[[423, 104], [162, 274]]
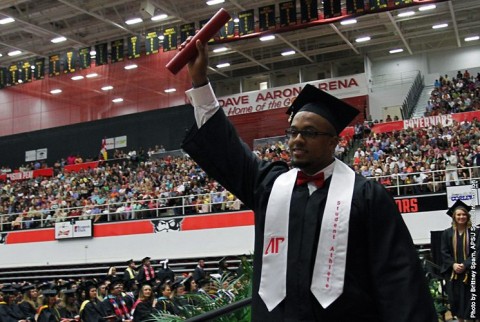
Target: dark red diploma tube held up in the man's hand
[[204, 34]]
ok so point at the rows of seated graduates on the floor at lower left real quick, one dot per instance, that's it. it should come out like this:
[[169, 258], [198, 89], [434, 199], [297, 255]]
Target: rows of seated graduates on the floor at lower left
[[133, 295]]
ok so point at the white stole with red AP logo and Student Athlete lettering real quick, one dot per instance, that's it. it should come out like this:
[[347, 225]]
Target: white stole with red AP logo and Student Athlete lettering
[[329, 270]]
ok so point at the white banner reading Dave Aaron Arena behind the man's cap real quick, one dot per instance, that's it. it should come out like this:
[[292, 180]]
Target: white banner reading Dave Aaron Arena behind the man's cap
[[281, 97]]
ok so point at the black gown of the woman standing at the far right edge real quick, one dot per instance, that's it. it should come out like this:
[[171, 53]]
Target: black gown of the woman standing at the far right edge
[[458, 287]]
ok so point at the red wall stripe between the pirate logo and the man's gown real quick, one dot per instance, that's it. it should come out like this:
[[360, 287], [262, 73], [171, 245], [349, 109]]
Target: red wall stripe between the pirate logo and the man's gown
[[244, 218]]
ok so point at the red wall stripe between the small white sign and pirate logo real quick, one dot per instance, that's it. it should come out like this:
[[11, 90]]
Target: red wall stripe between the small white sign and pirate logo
[[123, 228]]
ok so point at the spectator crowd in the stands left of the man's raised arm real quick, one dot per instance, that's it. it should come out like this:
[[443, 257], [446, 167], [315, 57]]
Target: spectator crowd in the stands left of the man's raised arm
[[131, 186]]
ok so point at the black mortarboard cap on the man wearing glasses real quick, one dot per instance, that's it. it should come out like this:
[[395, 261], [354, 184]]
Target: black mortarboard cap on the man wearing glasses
[[335, 111]]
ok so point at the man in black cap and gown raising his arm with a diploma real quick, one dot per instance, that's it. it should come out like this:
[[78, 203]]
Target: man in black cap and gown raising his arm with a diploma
[[332, 250]]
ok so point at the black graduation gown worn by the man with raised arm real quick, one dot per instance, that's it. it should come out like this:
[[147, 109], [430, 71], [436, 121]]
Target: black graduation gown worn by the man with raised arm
[[384, 279]]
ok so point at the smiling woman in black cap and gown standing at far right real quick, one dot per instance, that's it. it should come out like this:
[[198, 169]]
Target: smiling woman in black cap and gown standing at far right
[[457, 259]]
